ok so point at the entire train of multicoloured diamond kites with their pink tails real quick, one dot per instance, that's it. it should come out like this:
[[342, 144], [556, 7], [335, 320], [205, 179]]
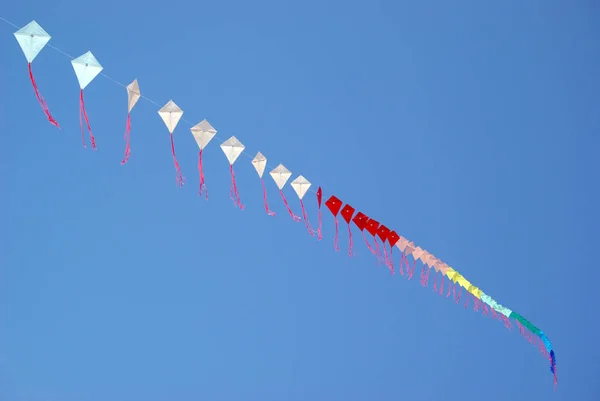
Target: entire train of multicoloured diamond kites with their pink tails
[[450, 283]]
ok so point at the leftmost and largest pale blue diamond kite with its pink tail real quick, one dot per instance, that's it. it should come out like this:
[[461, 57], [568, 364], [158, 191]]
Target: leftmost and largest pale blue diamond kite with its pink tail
[[32, 38]]
